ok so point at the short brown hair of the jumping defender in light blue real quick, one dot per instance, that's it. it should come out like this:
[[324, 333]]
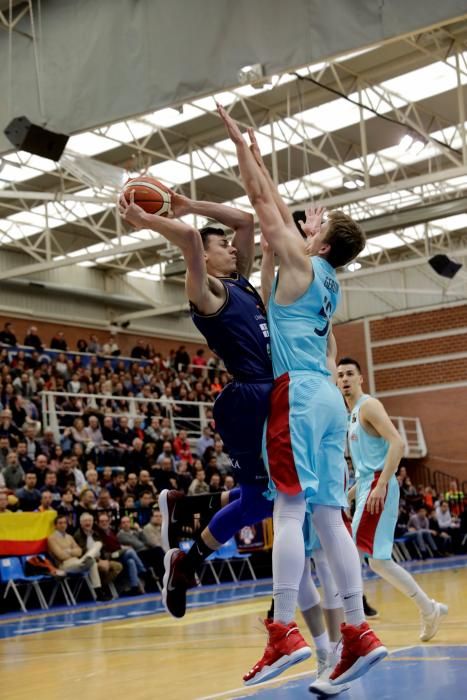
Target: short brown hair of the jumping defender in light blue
[[346, 238]]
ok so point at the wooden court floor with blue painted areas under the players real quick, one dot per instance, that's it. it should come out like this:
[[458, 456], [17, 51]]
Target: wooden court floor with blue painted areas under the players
[[127, 651]]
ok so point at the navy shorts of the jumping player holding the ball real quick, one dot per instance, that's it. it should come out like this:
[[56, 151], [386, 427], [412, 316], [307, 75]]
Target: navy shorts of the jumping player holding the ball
[[240, 413]]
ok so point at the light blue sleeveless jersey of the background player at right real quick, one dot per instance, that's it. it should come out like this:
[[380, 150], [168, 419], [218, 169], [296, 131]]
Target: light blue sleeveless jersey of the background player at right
[[368, 452]]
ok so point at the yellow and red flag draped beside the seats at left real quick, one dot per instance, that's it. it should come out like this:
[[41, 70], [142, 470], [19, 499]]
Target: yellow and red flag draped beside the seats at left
[[25, 533]]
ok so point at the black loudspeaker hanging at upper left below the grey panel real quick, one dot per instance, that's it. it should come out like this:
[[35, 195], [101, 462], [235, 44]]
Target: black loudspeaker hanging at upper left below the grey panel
[[35, 139]]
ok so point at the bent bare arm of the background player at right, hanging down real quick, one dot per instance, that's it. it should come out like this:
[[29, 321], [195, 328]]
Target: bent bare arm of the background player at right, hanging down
[[374, 414]]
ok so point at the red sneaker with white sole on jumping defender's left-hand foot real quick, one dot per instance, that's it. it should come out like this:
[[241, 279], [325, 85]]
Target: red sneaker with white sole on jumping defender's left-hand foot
[[285, 648]]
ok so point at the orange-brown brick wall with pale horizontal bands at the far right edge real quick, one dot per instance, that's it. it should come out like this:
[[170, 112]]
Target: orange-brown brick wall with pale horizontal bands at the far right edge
[[442, 411]]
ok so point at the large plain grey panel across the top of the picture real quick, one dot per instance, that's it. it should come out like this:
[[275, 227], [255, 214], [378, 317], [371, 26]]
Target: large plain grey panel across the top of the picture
[[103, 61]]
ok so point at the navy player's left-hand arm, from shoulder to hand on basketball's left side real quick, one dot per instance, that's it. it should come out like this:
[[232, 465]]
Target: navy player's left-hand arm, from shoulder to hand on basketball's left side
[[188, 239]]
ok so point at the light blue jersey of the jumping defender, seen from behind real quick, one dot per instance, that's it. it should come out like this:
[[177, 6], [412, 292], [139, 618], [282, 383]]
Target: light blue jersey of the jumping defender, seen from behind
[[299, 331]]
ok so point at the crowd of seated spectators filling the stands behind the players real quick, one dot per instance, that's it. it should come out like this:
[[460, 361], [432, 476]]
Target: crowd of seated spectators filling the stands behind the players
[[126, 429]]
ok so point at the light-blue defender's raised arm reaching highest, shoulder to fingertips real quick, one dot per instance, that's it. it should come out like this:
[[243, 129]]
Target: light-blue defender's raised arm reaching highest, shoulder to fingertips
[[284, 239]]
